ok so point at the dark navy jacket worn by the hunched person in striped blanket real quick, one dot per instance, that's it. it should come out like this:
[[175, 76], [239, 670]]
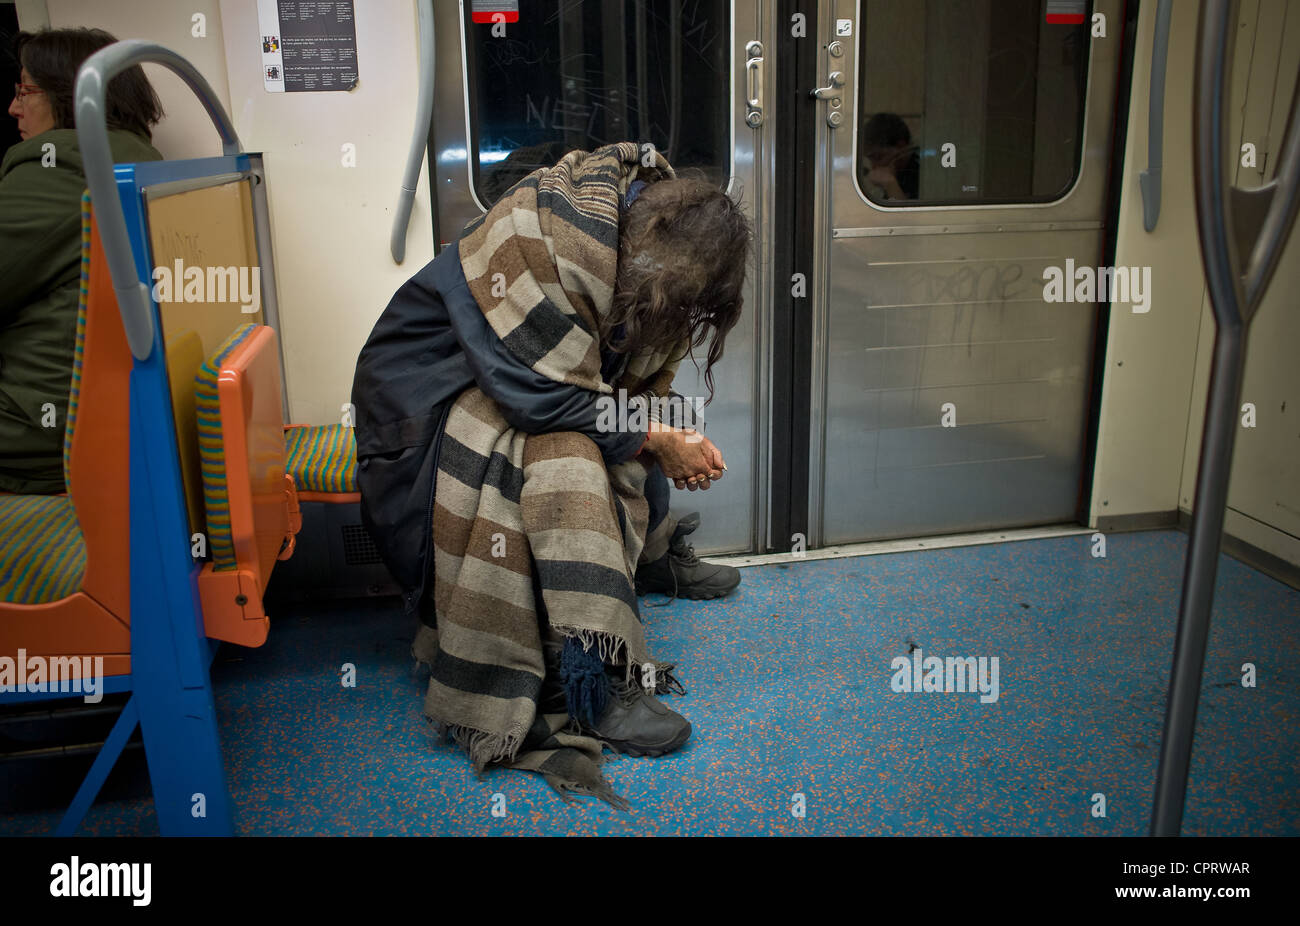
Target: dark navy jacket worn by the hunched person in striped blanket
[[431, 344]]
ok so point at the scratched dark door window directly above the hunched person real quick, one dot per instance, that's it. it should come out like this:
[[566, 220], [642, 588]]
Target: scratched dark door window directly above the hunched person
[[590, 73]]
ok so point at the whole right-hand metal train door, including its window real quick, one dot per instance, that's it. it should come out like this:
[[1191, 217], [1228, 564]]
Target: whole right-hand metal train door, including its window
[[963, 152]]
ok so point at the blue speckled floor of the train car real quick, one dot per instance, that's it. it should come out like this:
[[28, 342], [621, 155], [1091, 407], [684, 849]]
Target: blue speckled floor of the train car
[[790, 694]]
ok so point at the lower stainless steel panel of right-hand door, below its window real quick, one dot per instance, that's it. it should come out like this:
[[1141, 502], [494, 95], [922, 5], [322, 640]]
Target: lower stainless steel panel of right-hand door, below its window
[[924, 323]]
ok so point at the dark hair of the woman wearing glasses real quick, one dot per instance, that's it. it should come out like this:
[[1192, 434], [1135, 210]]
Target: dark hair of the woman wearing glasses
[[53, 58]]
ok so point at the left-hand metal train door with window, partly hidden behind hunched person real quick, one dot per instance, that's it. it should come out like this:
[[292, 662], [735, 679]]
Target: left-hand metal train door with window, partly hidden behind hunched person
[[519, 84]]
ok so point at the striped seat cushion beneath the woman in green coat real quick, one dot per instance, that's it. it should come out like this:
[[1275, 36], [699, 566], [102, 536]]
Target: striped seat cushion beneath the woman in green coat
[[42, 555]]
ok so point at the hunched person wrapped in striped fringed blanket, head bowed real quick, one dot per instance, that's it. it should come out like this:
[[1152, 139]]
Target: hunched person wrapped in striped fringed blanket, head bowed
[[519, 520]]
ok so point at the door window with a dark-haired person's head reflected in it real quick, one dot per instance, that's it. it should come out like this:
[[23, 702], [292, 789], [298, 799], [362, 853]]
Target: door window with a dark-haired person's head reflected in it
[[972, 102]]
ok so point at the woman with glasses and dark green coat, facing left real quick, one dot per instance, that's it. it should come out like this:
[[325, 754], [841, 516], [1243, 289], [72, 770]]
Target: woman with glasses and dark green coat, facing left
[[41, 188]]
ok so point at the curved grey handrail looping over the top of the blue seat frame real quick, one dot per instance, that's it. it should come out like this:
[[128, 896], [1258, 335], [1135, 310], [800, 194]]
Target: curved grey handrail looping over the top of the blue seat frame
[[133, 296]]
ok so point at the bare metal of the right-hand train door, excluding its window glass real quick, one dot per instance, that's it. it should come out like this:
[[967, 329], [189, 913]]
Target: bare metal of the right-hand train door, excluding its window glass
[[924, 308]]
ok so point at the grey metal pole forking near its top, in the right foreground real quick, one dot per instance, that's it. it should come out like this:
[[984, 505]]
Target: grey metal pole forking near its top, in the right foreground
[[1234, 296]]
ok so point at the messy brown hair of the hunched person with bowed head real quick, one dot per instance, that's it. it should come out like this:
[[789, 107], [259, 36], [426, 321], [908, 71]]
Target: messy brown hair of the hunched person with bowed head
[[683, 254]]
